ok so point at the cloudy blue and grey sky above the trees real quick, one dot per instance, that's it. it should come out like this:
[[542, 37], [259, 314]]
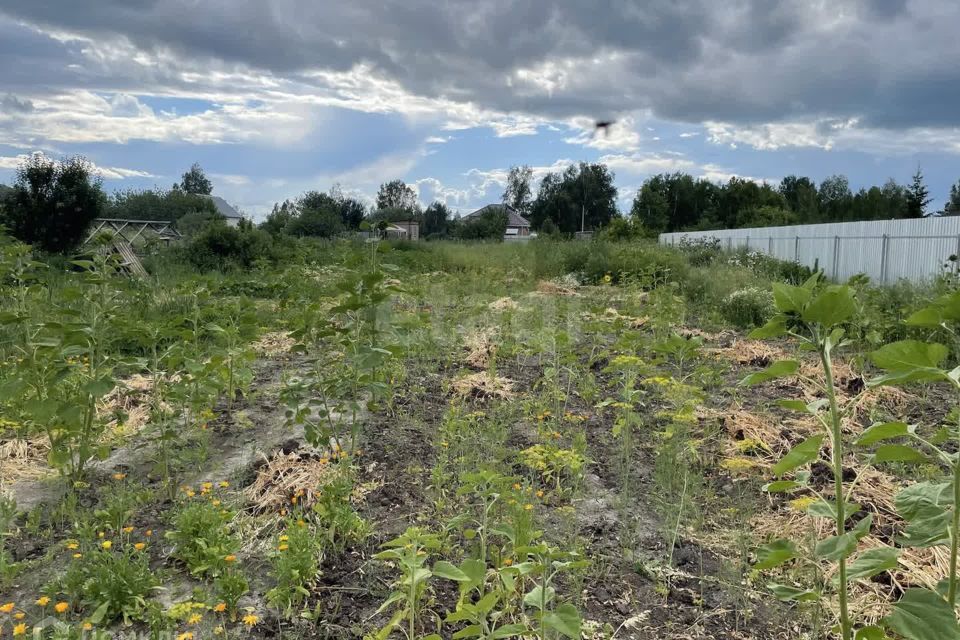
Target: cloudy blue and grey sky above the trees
[[274, 98]]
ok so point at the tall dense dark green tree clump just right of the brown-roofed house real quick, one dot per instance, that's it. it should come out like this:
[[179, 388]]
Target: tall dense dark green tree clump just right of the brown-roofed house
[[583, 194]]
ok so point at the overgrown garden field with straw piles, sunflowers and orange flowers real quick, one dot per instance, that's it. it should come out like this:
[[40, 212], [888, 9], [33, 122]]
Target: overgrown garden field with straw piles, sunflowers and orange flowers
[[555, 440]]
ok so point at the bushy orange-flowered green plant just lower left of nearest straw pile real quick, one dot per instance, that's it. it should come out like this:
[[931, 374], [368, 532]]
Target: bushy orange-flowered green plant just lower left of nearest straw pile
[[202, 538]]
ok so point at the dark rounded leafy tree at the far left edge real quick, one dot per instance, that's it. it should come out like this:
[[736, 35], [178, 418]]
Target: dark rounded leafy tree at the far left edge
[[53, 202]]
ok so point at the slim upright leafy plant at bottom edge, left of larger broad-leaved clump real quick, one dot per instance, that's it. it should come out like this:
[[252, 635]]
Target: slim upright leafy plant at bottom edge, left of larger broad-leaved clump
[[410, 554]]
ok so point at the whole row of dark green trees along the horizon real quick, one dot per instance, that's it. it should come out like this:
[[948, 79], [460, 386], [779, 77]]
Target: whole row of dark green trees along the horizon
[[52, 203]]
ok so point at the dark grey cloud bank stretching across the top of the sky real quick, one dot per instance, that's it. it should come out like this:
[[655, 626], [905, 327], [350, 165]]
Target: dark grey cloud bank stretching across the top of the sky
[[889, 63]]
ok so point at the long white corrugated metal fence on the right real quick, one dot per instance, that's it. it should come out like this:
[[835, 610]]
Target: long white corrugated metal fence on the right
[[886, 250]]
